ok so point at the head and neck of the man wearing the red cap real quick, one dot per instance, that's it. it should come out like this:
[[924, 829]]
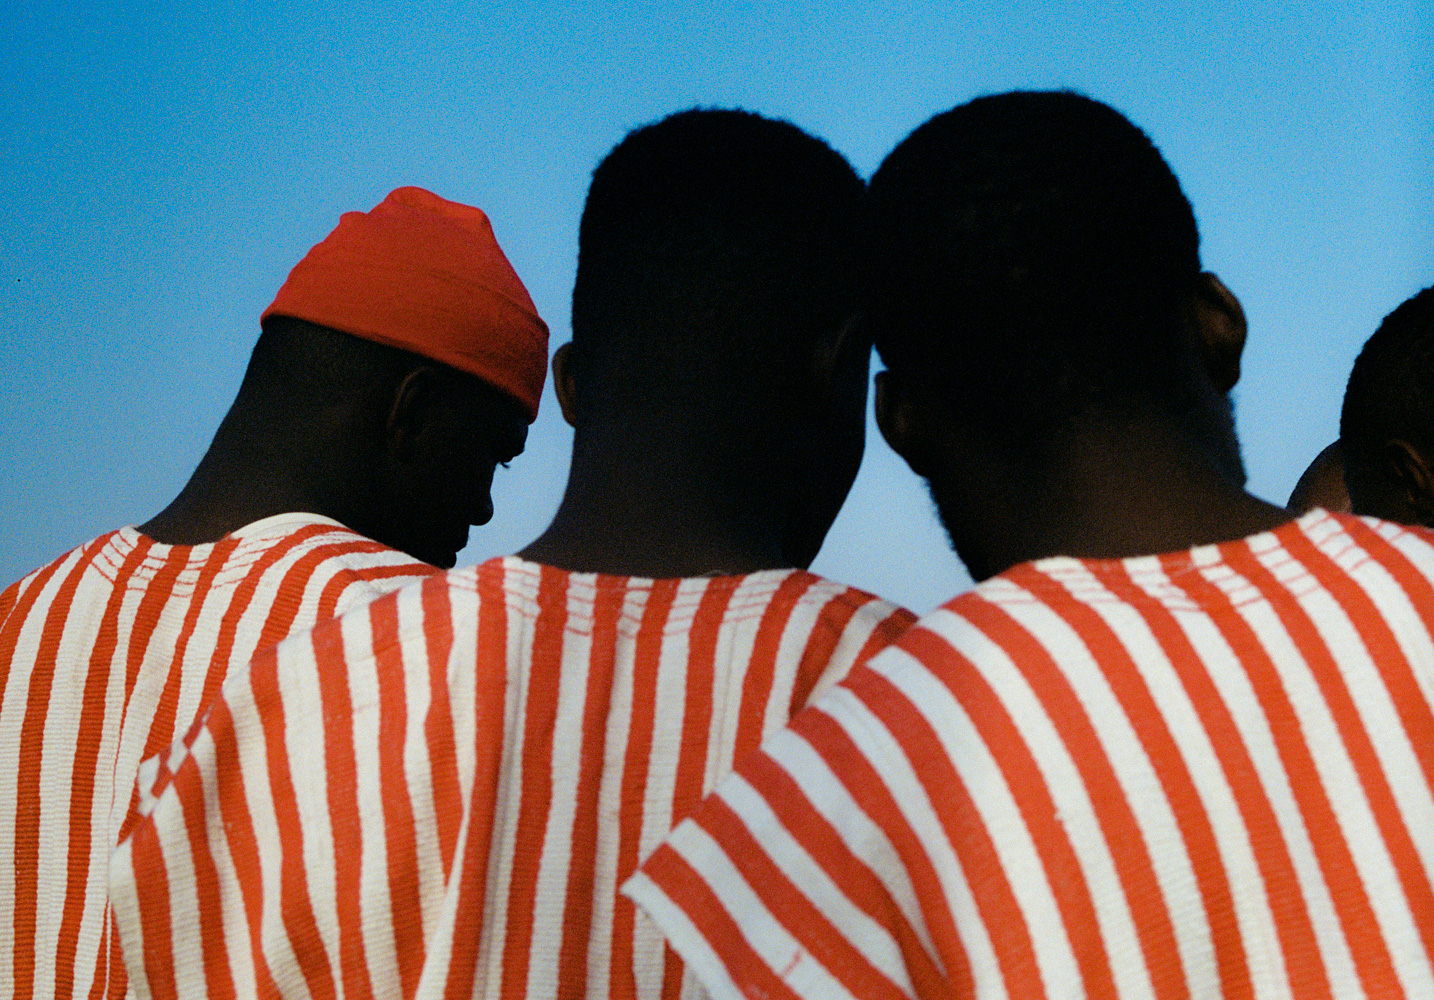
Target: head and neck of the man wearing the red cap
[[401, 362]]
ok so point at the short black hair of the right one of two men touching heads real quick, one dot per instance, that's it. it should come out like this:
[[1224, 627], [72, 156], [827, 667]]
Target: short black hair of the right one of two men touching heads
[[1030, 259]]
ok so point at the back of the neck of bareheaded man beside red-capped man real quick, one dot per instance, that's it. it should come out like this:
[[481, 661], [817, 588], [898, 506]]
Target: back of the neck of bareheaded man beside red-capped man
[[643, 503]]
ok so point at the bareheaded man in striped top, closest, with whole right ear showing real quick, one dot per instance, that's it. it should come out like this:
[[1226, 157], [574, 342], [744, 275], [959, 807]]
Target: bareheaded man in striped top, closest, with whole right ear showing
[[1175, 745]]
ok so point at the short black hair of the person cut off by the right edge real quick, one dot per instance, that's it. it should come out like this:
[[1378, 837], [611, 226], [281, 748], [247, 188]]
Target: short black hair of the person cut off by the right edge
[[1392, 390]]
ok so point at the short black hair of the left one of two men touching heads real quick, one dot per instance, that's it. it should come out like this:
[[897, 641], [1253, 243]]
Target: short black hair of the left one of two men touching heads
[[716, 249]]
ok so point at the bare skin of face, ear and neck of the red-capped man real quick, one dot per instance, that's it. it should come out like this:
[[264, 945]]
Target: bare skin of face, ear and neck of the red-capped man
[[408, 466]]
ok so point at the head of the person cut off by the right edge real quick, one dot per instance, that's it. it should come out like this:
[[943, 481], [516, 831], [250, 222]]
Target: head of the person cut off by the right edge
[[1387, 424]]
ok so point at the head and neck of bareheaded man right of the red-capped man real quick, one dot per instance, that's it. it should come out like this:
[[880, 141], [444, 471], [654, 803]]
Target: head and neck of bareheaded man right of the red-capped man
[[716, 378]]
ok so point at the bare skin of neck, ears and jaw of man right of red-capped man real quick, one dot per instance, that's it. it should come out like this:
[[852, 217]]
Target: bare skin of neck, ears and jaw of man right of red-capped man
[[649, 496]]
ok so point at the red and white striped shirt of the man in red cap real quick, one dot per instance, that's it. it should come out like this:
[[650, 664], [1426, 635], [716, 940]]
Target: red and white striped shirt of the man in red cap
[[107, 656]]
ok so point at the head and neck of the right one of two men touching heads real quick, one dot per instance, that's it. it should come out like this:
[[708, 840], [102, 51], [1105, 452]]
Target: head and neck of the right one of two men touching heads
[[1059, 364]]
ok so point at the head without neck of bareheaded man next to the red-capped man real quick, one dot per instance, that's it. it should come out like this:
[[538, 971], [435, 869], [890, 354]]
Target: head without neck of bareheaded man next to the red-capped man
[[715, 301]]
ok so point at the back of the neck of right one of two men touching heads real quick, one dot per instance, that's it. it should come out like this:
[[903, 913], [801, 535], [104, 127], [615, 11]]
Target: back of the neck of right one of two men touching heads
[[1115, 491]]
